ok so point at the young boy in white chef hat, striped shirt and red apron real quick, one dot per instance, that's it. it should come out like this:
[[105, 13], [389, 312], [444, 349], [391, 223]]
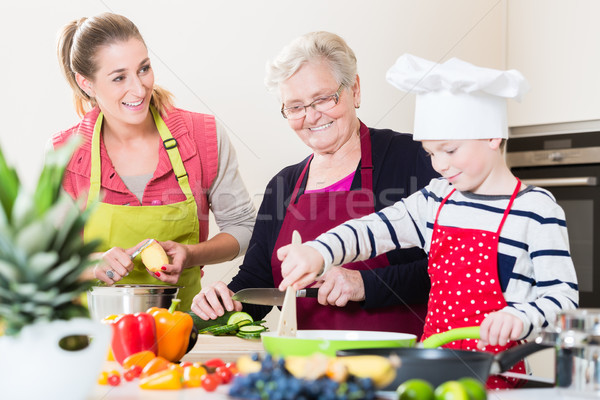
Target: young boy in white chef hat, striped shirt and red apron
[[498, 249]]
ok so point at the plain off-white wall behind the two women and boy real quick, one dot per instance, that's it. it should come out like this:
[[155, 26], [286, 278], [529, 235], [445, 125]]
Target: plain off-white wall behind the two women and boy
[[211, 55]]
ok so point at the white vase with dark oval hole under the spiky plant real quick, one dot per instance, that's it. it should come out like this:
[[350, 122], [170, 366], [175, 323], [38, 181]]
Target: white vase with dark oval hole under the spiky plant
[[34, 366]]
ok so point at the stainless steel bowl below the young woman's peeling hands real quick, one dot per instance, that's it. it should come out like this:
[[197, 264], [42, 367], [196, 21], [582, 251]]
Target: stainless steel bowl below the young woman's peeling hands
[[128, 299]]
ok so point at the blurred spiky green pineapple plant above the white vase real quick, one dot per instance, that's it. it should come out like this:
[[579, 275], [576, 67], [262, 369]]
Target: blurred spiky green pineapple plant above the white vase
[[42, 253]]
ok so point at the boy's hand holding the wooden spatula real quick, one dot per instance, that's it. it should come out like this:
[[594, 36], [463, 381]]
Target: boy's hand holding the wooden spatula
[[300, 265]]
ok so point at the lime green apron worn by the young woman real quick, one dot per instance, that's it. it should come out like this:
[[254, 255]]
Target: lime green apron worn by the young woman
[[125, 226]]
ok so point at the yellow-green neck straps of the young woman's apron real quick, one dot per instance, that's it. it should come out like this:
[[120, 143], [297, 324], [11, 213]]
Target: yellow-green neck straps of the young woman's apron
[[169, 143]]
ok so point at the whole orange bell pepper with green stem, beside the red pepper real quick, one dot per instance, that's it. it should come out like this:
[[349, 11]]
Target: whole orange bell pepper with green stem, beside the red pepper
[[173, 330]]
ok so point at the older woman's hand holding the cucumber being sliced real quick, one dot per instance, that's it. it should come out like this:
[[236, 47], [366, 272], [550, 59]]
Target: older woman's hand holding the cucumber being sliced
[[208, 304]]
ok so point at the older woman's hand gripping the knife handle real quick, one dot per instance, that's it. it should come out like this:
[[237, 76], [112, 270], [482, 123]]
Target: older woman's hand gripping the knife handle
[[339, 286]]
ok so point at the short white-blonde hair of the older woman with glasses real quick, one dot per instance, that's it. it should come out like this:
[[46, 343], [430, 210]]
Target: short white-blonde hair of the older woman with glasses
[[313, 47]]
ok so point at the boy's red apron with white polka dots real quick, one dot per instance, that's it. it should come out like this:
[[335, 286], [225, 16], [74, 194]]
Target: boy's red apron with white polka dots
[[463, 268]]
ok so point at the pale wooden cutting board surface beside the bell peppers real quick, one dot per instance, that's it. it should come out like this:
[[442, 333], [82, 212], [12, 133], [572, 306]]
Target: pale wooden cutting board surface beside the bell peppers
[[227, 348]]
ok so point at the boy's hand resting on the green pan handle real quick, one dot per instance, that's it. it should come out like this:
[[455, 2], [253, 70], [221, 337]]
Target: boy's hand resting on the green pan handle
[[499, 327]]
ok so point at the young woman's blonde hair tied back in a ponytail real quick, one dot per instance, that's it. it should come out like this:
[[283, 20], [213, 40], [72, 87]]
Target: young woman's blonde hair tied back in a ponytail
[[78, 44]]
